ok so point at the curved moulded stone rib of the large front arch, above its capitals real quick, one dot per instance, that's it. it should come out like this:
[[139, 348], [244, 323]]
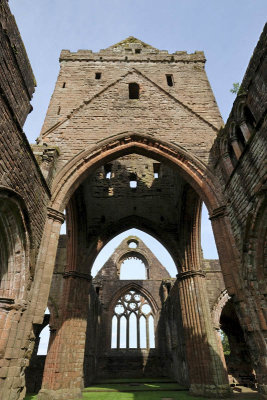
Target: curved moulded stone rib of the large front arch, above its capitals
[[191, 169]]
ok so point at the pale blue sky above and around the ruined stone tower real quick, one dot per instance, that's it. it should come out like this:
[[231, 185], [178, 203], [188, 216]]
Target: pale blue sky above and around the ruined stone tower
[[226, 30]]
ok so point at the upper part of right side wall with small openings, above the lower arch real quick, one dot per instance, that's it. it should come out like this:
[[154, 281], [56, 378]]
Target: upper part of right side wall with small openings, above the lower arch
[[243, 177]]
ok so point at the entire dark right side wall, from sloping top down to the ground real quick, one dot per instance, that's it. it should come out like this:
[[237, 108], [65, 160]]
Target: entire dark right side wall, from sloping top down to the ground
[[239, 158]]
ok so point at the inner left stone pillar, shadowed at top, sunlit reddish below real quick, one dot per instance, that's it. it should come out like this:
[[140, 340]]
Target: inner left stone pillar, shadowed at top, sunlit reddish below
[[63, 374]]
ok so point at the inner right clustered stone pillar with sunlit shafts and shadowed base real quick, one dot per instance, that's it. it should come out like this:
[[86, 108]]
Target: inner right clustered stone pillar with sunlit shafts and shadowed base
[[207, 374]]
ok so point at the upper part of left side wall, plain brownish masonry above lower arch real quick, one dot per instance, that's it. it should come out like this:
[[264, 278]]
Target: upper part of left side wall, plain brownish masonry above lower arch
[[18, 169]]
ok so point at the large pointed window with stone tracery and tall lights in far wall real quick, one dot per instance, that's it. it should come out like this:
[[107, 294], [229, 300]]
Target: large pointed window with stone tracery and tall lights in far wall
[[132, 322]]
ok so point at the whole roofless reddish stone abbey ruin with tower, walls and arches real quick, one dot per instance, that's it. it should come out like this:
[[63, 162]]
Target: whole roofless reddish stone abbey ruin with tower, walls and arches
[[132, 138]]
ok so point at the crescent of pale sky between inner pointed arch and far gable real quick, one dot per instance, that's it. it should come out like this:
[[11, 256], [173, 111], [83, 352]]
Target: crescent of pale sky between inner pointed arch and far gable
[[153, 244]]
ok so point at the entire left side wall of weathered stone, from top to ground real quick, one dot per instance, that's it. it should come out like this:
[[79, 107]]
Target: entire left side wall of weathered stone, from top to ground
[[23, 199]]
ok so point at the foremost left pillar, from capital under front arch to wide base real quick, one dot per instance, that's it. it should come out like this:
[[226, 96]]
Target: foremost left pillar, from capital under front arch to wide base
[[22, 314]]
